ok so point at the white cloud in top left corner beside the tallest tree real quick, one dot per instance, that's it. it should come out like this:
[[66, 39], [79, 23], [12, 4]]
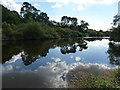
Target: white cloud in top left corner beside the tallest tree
[[10, 4]]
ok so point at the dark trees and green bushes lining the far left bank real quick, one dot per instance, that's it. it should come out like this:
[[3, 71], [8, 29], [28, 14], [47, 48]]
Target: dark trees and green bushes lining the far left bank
[[31, 23]]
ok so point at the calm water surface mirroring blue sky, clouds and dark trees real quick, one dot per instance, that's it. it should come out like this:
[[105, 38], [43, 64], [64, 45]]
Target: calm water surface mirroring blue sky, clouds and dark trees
[[38, 64]]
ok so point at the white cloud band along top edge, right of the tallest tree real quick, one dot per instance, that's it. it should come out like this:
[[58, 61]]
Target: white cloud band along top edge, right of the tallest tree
[[80, 3]]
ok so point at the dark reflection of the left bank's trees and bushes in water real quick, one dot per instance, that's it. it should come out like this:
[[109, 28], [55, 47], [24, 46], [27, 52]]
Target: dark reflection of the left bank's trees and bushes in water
[[33, 50]]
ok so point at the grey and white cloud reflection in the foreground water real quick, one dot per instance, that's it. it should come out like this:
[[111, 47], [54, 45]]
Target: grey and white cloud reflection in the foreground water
[[51, 75]]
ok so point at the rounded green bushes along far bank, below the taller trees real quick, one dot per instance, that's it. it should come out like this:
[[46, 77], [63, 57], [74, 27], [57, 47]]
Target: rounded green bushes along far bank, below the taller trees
[[35, 30]]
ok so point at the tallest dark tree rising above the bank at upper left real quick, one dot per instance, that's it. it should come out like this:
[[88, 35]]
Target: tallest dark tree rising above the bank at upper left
[[29, 12]]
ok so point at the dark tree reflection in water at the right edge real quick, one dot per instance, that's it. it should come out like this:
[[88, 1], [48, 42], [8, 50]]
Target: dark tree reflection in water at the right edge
[[114, 53]]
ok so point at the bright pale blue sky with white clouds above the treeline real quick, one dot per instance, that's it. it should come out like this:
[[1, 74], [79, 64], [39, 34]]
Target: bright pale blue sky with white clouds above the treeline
[[98, 13]]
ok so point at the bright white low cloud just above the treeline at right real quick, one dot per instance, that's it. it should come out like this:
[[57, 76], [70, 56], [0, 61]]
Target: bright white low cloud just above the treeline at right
[[93, 24]]
